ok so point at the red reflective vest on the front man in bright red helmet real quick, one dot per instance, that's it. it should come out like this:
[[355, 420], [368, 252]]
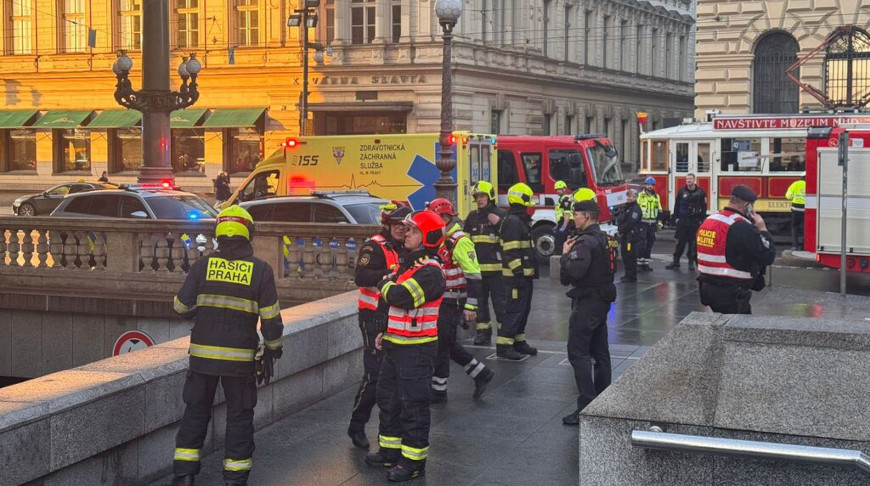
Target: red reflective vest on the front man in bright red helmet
[[414, 326]]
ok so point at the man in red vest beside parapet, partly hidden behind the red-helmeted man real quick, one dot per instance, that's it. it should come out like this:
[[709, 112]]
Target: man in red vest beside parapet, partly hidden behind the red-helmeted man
[[378, 257]]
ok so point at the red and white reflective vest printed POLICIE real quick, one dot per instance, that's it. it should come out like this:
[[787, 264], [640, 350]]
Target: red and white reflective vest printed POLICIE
[[711, 239]]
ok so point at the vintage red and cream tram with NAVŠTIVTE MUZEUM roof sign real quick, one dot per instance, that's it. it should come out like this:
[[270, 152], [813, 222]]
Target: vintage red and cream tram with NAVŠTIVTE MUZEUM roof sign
[[764, 152]]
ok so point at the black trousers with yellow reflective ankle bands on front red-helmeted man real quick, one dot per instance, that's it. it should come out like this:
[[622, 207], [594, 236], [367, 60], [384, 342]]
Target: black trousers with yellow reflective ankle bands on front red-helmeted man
[[403, 400]]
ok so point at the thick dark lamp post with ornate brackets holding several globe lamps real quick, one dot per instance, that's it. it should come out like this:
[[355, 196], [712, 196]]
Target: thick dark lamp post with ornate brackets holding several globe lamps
[[155, 100]]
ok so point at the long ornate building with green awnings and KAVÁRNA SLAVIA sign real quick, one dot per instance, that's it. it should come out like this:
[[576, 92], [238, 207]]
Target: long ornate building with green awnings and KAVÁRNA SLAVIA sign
[[520, 66]]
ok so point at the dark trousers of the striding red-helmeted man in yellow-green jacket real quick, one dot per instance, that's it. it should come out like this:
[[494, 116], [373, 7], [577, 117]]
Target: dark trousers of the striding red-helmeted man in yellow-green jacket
[[449, 316]]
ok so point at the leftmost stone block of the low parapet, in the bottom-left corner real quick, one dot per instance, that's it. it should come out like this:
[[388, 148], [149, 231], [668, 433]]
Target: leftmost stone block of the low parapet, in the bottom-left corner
[[24, 427]]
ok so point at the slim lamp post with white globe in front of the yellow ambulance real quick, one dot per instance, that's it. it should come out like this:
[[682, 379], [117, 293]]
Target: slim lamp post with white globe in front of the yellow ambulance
[[448, 12]]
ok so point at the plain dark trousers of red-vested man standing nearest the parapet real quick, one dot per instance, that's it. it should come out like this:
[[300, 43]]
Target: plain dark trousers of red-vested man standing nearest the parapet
[[370, 326]]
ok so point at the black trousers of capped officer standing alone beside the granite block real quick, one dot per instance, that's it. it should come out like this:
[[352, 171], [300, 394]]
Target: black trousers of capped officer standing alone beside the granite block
[[587, 339]]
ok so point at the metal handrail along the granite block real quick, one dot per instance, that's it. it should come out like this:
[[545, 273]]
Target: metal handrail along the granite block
[[656, 439]]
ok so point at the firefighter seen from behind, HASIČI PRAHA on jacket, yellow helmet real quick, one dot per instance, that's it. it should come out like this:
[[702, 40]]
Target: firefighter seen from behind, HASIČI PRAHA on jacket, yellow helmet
[[226, 293]]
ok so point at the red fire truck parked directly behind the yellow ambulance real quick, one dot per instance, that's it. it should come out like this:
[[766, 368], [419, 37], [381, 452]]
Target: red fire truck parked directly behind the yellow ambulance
[[580, 160]]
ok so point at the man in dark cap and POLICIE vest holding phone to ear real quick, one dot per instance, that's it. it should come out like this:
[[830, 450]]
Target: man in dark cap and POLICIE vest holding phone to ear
[[733, 248]]
